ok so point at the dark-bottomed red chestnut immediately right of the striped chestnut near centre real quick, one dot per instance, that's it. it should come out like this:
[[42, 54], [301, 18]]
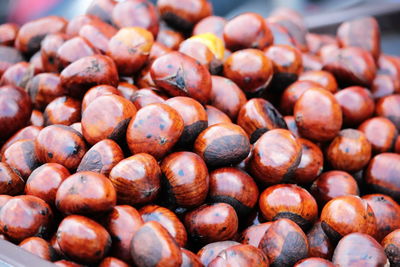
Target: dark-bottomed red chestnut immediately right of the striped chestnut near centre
[[234, 187]]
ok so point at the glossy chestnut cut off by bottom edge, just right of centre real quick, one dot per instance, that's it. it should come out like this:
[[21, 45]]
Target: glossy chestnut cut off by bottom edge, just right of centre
[[240, 255]]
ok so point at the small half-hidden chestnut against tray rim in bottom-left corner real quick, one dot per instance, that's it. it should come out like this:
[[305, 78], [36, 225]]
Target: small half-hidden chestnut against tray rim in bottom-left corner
[[39, 247]]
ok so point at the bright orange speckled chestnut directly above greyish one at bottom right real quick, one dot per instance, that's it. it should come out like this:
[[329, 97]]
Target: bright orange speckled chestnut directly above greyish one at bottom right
[[347, 214]]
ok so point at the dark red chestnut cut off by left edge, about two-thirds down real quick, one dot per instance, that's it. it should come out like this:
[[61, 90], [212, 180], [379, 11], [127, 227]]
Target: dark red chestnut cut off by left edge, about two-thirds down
[[11, 182]]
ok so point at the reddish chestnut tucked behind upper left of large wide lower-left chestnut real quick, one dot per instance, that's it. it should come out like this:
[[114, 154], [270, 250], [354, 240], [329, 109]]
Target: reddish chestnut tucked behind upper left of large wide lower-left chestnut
[[45, 180]]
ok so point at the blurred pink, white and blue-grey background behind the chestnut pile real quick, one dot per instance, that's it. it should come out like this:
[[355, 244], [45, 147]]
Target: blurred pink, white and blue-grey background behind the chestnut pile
[[322, 16]]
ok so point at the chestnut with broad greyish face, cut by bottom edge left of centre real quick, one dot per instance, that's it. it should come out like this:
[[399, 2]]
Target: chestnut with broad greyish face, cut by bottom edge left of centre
[[152, 245]]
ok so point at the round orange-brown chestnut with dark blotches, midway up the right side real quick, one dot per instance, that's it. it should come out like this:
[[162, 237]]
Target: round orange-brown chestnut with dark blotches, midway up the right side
[[349, 151]]
